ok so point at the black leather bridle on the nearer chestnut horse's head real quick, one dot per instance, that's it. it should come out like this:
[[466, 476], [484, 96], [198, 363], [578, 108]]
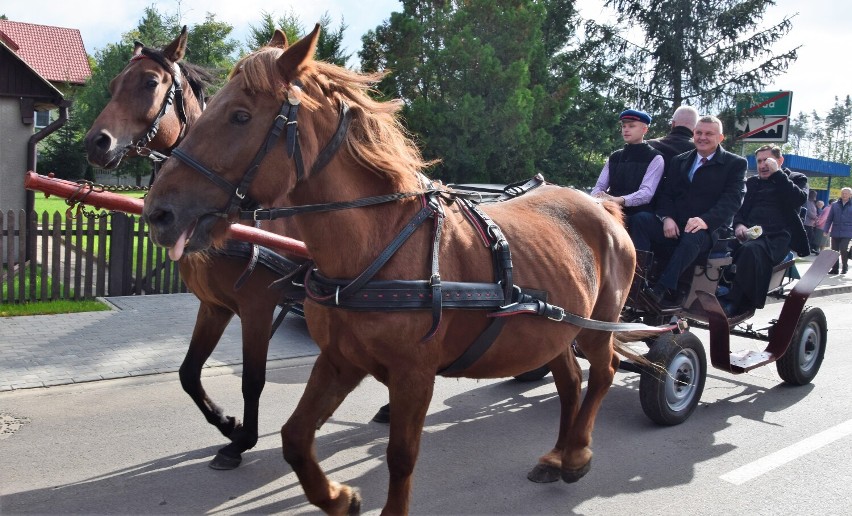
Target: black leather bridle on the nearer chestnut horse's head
[[286, 122]]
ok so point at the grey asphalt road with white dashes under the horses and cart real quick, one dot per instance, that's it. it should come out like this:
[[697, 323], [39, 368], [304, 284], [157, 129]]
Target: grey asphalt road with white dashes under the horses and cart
[[139, 446]]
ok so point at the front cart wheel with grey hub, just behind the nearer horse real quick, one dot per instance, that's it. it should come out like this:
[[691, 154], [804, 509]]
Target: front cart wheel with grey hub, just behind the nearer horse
[[669, 397]]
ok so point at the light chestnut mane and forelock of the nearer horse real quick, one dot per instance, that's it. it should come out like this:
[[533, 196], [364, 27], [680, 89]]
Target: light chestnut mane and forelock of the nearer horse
[[376, 137]]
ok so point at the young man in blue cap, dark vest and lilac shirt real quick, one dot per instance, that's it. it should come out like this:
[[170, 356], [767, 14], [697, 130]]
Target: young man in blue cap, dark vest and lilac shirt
[[632, 173]]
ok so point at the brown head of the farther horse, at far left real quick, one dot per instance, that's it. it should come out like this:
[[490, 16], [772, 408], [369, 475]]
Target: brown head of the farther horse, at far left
[[149, 109]]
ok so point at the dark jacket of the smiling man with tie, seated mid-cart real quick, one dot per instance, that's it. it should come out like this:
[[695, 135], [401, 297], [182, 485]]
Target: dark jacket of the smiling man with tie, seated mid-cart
[[715, 193]]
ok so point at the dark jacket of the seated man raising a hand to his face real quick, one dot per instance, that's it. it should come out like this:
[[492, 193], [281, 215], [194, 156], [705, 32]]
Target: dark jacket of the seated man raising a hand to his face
[[791, 189]]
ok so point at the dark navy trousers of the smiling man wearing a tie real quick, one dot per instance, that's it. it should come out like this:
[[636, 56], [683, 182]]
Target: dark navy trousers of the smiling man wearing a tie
[[646, 231]]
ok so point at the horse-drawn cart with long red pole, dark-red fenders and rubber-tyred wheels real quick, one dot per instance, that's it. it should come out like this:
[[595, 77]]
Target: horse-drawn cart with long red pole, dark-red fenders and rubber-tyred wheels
[[669, 390]]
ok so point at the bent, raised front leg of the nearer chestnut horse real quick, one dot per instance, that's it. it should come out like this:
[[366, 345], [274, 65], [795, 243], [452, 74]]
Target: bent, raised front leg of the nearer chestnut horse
[[329, 384]]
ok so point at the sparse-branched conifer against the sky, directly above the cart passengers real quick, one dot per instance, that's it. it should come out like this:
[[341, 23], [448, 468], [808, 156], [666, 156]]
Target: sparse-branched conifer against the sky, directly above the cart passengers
[[698, 52]]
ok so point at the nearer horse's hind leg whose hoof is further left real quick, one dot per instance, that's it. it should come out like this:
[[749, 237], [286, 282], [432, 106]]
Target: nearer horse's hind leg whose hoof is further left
[[568, 378]]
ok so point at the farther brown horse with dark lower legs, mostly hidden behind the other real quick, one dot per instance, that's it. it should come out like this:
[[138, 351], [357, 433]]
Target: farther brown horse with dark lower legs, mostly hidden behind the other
[[146, 116]]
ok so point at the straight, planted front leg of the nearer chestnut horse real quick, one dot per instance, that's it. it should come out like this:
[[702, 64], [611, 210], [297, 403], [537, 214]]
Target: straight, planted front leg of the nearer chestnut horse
[[410, 395]]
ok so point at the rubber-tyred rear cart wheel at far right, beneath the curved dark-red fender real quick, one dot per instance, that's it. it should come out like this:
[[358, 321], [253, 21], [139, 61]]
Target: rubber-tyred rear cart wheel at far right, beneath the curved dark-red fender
[[800, 364]]
